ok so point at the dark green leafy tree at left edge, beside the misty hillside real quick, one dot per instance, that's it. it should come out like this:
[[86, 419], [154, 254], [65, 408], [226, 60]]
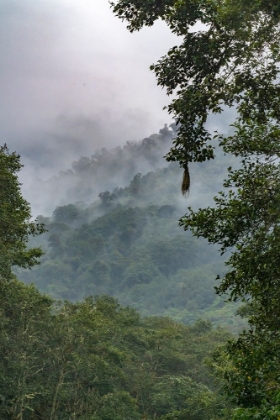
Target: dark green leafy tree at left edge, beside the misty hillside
[[15, 216]]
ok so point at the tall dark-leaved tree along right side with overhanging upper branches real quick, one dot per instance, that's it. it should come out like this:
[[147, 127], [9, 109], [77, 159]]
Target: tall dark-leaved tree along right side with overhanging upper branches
[[232, 62]]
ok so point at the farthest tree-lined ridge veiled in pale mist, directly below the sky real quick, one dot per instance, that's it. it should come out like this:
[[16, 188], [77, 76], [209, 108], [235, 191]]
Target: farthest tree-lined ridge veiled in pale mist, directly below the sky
[[103, 170]]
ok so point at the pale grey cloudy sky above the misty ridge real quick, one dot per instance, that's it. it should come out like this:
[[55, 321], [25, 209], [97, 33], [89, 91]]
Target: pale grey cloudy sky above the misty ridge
[[73, 79]]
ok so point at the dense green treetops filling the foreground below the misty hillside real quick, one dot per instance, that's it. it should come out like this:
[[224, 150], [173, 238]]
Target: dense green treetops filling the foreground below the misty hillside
[[96, 360]]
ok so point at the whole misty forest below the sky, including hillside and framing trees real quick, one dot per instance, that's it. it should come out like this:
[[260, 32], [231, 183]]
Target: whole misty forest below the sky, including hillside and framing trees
[[150, 287]]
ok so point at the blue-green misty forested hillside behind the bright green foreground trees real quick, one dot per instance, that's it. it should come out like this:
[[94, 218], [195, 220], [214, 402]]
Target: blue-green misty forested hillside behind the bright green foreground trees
[[127, 242]]
